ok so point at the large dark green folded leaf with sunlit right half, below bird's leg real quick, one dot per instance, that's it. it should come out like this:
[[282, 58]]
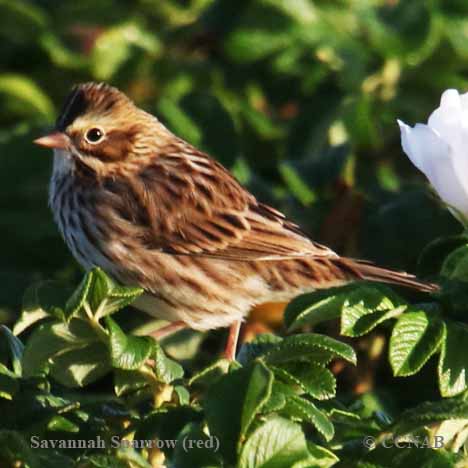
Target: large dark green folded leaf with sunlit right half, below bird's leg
[[230, 413]]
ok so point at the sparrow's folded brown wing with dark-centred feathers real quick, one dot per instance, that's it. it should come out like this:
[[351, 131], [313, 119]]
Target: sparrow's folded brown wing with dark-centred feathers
[[195, 207]]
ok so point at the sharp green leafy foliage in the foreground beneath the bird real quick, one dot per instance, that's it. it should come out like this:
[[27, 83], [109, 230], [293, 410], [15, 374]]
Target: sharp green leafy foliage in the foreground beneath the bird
[[275, 406]]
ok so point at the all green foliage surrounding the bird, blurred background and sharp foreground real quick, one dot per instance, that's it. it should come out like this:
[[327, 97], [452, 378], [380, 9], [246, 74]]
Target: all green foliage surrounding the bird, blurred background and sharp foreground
[[298, 98]]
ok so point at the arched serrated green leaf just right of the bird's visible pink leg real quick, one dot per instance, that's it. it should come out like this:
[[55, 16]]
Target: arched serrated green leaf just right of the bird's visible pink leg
[[310, 346]]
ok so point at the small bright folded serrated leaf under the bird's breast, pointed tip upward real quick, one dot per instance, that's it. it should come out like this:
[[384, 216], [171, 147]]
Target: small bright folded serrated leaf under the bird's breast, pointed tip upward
[[127, 352]]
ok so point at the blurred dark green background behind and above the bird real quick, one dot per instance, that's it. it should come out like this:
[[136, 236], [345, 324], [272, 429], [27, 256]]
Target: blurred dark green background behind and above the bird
[[299, 98]]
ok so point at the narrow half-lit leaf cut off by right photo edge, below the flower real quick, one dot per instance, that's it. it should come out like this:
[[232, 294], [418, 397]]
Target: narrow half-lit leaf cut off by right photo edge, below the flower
[[453, 366]]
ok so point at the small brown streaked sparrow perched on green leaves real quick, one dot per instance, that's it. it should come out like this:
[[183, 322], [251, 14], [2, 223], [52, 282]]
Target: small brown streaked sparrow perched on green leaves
[[151, 210]]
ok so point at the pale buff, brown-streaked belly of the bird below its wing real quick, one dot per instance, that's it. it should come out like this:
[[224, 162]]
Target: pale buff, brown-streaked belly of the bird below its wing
[[203, 293]]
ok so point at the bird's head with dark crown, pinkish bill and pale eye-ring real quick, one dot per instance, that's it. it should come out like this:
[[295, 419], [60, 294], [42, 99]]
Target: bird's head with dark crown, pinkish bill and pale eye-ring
[[100, 127]]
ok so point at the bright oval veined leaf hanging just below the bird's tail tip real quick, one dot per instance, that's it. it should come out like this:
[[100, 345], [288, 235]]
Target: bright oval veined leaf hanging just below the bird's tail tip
[[416, 336]]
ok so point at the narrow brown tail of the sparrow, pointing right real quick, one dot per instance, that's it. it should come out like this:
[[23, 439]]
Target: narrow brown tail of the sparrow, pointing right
[[367, 271]]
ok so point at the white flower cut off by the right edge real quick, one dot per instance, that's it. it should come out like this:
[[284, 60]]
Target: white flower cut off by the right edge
[[440, 149]]
